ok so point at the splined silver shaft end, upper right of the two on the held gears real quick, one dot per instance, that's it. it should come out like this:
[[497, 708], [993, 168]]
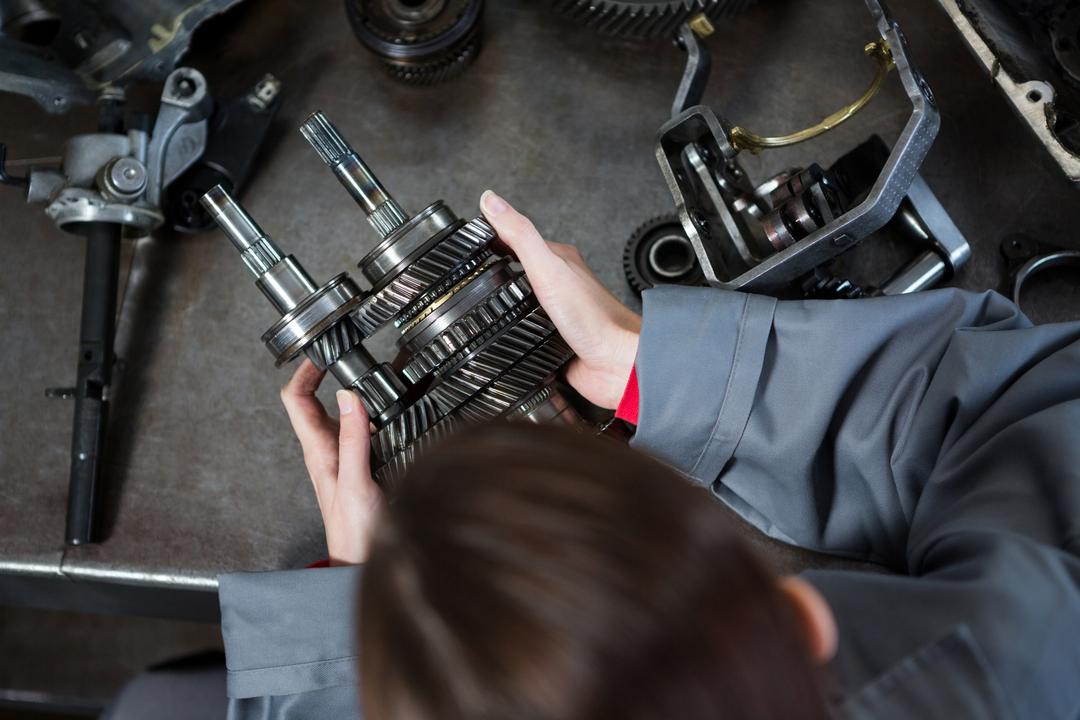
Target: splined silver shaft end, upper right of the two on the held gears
[[358, 180]]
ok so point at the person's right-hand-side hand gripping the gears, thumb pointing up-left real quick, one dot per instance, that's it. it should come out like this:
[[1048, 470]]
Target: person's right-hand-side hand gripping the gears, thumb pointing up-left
[[603, 332]]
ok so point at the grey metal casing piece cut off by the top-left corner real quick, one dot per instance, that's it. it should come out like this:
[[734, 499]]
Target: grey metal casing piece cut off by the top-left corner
[[67, 52]]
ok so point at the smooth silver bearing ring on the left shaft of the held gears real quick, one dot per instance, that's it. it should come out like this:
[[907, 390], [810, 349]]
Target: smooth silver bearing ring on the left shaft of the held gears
[[315, 316]]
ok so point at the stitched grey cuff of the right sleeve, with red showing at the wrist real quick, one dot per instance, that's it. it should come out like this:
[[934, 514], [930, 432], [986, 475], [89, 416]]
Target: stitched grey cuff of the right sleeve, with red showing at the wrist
[[698, 366]]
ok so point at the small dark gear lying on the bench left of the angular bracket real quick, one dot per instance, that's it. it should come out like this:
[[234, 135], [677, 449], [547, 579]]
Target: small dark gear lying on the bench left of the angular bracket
[[659, 253]]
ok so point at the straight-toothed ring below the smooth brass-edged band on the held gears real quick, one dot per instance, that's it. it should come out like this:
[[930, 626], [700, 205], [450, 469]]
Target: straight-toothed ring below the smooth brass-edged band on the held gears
[[494, 313]]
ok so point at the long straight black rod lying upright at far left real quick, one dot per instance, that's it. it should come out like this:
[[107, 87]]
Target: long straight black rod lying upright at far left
[[87, 487]]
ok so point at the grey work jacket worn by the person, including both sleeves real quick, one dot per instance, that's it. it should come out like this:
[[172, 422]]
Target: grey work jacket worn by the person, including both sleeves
[[936, 434]]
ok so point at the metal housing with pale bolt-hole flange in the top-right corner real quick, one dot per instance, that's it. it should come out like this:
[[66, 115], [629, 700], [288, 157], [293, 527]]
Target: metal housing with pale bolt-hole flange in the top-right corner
[[1032, 51]]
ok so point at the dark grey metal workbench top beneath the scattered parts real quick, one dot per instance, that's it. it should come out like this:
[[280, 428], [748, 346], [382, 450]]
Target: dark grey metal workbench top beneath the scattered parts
[[206, 476]]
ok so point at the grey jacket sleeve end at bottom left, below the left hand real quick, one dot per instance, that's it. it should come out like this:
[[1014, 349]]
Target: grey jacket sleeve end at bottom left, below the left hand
[[290, 644]]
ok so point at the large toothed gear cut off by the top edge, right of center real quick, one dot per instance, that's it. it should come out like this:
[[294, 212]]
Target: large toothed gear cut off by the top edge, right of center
[[645, 19]]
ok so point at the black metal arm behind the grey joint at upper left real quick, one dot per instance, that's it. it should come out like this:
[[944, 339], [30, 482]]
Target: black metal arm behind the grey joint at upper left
[[236, 134]]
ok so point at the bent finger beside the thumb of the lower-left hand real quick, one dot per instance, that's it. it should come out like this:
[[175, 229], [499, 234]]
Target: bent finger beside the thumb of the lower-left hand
[[314, 428]]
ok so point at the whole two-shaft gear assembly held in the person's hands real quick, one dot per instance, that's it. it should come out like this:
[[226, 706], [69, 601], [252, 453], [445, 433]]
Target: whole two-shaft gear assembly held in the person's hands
[[476, 344]]
